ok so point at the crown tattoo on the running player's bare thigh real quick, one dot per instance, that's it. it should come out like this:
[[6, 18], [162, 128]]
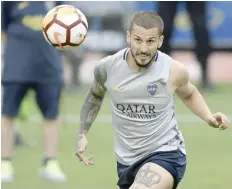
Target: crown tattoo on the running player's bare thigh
[[147, 177]]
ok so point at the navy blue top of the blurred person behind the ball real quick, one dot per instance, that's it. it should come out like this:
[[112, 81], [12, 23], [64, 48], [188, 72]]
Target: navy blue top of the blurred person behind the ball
[[28, 57]]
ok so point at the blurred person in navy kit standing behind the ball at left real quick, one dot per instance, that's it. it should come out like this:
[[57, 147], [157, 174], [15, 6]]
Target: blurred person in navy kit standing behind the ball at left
[[29, 63]]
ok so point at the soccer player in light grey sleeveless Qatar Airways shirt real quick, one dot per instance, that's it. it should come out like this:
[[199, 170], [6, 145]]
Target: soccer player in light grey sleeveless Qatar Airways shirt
[[141, 82]]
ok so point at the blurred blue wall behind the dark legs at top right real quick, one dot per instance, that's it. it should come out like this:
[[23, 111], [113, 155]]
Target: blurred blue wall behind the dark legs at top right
[[219, 17]]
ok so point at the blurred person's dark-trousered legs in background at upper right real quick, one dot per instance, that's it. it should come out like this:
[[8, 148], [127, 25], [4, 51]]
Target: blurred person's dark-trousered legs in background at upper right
[[197, 12]]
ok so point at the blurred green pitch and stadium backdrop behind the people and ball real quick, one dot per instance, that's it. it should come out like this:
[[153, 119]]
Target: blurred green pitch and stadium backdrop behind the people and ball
[[209, 150]]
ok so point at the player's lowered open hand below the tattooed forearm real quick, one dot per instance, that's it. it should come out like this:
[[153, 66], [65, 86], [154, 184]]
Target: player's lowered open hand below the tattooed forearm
[[81, 147]]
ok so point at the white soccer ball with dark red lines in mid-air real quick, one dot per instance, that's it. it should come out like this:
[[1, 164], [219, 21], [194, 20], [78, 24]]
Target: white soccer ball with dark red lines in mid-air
[[65, 27]]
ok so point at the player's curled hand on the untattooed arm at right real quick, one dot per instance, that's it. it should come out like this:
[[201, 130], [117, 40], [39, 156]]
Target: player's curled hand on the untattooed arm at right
[[218, 120]]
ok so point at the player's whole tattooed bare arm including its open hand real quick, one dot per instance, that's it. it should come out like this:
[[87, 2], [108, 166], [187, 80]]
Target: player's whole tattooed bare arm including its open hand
[[90, 109]]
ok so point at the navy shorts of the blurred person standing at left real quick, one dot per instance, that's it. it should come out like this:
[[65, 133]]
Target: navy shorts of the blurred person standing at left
[[47, 98]]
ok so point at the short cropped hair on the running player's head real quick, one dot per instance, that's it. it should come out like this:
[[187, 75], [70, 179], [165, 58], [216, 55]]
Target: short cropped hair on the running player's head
[[147, 20]]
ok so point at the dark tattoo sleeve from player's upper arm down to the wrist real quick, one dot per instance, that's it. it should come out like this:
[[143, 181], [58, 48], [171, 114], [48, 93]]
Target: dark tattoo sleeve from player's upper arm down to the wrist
[[94, 99]]
